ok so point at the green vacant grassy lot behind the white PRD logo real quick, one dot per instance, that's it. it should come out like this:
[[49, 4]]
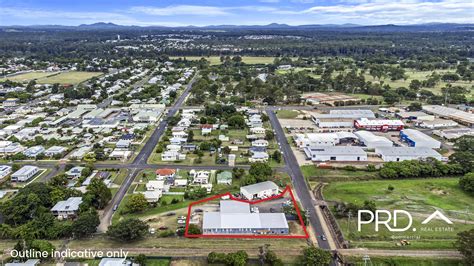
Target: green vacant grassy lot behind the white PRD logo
[[420, 197]]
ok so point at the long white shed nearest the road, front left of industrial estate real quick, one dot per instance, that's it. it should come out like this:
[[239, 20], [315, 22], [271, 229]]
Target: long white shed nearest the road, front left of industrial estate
[[335, 153]]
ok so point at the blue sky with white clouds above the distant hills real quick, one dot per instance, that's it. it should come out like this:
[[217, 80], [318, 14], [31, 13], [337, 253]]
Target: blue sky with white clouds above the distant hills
[[234, 12]]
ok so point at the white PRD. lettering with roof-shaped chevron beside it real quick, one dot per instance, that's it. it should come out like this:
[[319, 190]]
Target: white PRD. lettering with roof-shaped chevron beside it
[[389, 220]]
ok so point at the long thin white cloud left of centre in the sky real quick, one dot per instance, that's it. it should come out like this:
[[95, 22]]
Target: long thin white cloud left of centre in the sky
[[180, 10]]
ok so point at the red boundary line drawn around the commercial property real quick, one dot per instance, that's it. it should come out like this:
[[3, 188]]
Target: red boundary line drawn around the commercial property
[[287, 189]]
